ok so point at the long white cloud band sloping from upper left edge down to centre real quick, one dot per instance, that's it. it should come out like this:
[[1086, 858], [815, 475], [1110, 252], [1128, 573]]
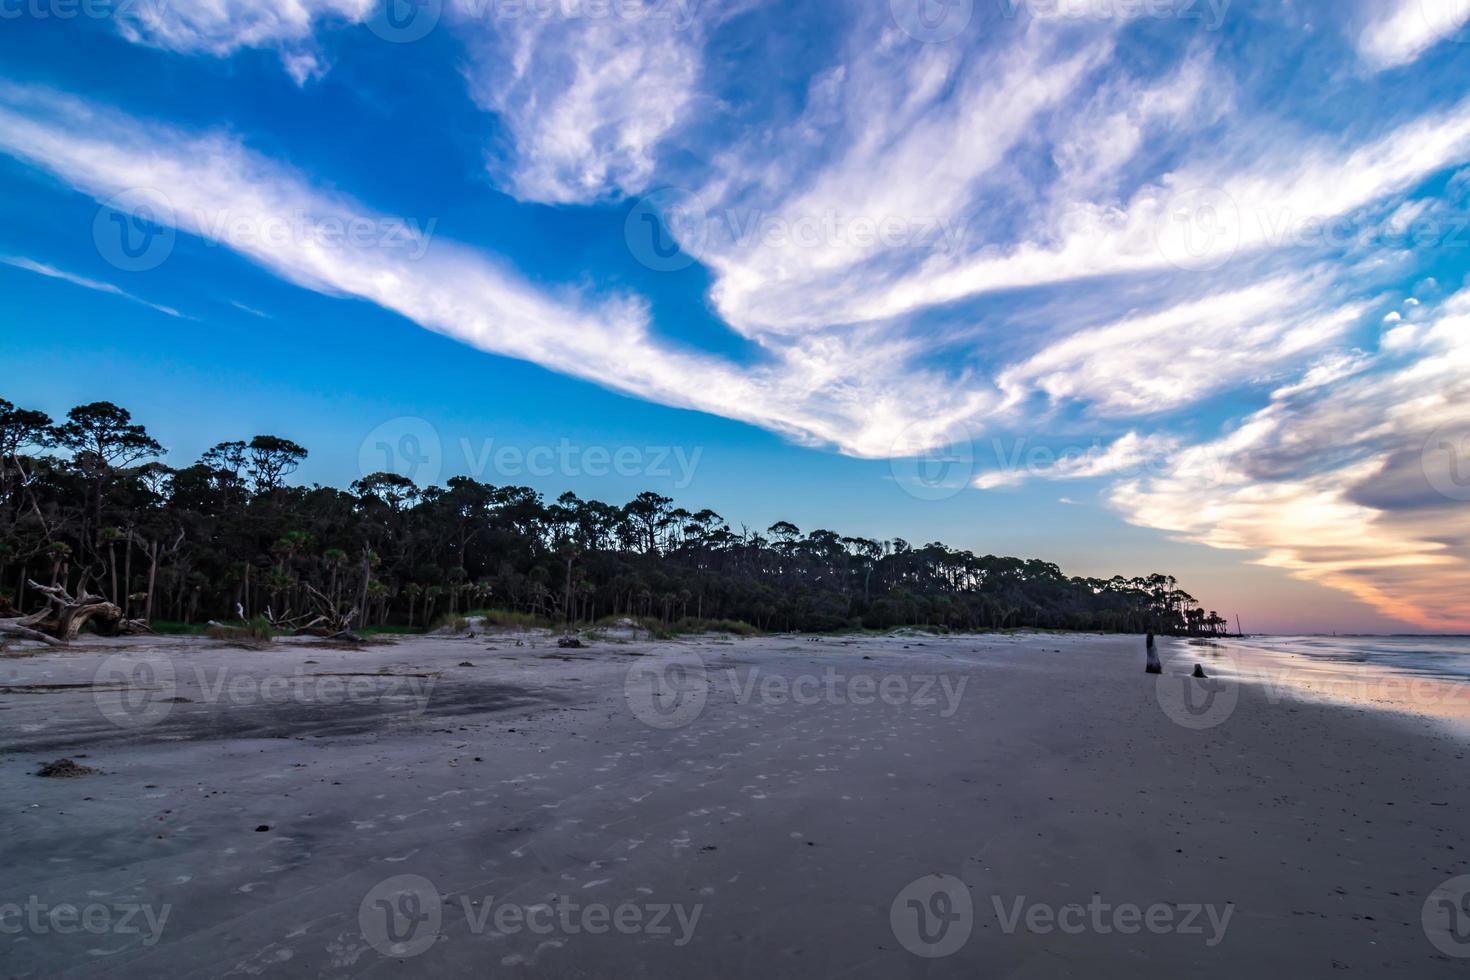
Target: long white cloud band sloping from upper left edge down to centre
[[847, 392]]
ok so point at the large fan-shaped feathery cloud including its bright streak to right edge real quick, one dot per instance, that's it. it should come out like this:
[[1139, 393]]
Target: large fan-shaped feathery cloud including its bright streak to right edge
[[900, 187]]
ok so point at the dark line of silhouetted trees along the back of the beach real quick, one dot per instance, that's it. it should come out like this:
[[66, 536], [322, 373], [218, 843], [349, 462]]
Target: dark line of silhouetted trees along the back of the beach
[[89, 506]]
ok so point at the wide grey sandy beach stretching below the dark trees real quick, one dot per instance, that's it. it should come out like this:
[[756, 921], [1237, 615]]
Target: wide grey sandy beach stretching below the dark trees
[[914, 806]]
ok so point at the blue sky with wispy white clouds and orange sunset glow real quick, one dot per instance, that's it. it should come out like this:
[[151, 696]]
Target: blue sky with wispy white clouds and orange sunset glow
[[1128, 286]]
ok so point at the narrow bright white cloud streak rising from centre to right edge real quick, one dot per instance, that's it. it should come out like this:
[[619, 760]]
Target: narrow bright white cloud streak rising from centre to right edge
[[1193, 220]]
